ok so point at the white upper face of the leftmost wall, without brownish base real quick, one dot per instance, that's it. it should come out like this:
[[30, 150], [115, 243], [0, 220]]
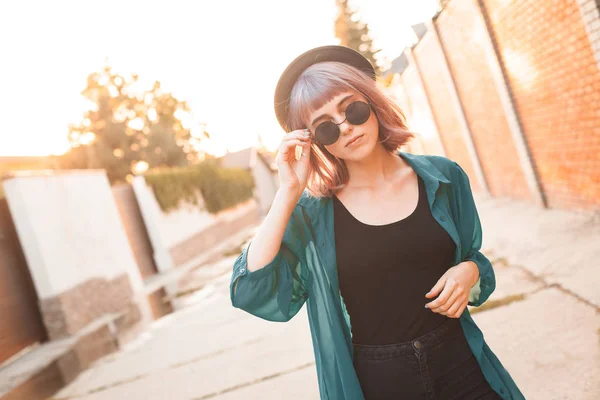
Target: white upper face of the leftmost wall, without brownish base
[[70, 229]]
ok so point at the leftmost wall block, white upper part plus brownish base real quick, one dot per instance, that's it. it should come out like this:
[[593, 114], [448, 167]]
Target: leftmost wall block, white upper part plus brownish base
[[75, 245]]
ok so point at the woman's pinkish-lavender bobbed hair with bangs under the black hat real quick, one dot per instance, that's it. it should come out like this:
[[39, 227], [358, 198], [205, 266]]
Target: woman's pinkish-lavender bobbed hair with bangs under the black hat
[[317, 85]]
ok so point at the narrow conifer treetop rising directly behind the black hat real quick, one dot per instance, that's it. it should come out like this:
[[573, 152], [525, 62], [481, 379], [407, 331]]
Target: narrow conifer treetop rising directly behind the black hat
[[354, 34]]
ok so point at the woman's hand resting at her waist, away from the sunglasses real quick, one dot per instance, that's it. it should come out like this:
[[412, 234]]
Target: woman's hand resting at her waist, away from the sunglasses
[[454, 286]]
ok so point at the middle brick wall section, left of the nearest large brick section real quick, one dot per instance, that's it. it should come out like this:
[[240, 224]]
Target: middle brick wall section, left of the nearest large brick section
[[462, 32]]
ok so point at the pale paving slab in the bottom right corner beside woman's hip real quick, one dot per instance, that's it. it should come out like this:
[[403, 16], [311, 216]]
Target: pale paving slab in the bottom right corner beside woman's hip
[[549, 343]]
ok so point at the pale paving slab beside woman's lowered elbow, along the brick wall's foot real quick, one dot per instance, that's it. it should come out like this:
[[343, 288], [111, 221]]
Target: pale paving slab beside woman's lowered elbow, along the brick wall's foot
[[560, 246]]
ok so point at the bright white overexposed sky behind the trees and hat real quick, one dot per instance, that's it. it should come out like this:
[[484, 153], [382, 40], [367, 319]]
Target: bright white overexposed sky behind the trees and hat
[[223, 57]]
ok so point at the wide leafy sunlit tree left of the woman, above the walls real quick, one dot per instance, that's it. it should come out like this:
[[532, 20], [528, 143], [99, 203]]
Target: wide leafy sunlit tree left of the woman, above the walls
[[125, 126]]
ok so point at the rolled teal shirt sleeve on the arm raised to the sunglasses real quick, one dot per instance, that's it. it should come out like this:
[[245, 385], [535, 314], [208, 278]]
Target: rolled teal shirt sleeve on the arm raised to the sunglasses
[[275, 292]]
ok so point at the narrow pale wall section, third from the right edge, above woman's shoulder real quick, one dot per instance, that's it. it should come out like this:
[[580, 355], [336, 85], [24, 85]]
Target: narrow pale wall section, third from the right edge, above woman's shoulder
[[429, 59]]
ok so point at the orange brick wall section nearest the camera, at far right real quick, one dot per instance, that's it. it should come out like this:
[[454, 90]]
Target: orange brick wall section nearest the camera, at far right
[[556, 85]]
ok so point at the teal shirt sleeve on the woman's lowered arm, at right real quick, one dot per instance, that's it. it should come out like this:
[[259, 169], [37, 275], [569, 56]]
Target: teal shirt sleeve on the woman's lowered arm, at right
[[471, 236]]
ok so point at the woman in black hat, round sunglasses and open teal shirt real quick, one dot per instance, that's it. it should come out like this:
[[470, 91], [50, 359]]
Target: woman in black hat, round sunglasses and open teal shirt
[[382, 245]]
